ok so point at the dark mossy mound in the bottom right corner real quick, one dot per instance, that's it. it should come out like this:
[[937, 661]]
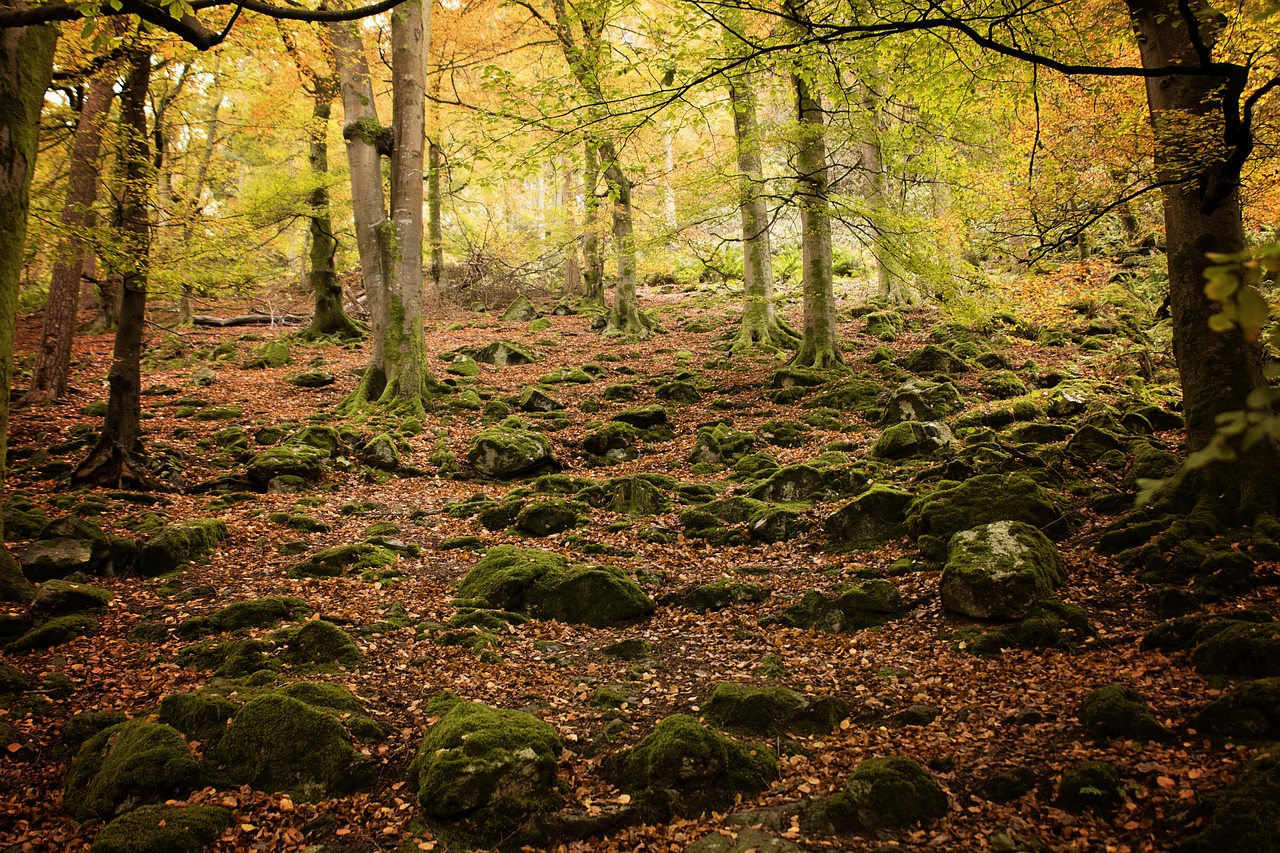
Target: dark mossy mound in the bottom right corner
[[1244, 818]]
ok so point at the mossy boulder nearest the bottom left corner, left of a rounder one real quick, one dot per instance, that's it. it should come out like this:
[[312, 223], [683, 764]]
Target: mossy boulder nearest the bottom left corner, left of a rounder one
[[126, 767]]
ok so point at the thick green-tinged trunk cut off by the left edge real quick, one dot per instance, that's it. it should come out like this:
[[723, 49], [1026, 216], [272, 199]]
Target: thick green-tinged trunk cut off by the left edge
[[26, 70]]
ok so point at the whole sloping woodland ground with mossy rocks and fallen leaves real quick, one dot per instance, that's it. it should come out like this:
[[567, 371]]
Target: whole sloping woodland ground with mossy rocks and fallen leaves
[[766, 554]]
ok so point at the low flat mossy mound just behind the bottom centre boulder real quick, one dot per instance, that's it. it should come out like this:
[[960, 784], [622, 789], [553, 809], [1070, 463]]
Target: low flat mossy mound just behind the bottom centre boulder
[[772, 710]]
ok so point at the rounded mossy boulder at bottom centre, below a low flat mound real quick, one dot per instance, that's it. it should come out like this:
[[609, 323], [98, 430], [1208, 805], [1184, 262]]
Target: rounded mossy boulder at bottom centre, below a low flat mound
[[683, 768]]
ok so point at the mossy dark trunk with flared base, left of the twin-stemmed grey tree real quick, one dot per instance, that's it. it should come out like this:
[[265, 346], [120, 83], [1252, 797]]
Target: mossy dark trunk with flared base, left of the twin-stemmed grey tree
[[330, 317]]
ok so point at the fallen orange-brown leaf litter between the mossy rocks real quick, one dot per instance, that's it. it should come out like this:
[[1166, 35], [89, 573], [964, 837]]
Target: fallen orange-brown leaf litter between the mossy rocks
[[1018, 709]]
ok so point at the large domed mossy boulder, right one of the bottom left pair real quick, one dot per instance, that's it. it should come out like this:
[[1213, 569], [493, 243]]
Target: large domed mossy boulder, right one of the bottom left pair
[[277, 743]]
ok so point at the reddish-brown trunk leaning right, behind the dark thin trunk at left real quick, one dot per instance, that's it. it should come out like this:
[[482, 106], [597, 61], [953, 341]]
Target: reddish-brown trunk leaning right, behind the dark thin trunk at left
[[54, 355]]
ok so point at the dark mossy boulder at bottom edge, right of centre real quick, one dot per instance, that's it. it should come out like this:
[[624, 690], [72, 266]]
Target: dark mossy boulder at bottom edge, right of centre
[[894, 792]]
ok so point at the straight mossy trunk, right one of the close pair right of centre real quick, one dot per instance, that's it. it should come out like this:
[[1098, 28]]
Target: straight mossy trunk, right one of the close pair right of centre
[[819, 345]]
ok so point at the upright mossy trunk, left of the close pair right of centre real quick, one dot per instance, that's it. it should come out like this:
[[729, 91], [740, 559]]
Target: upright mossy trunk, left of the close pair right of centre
[[761, 330]]
